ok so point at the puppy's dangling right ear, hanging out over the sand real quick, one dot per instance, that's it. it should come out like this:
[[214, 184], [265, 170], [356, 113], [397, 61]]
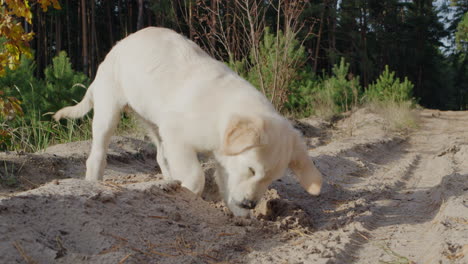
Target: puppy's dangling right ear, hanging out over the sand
[[303, 167]]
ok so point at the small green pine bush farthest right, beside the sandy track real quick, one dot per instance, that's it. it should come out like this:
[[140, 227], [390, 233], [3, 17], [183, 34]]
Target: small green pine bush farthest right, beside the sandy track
[[389, 88]]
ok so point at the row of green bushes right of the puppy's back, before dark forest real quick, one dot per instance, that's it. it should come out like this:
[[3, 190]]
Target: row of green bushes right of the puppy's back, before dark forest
[[296, 91]]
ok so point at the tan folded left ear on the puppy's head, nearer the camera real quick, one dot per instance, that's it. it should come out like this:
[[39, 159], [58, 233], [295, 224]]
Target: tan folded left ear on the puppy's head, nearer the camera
[[243, 133]]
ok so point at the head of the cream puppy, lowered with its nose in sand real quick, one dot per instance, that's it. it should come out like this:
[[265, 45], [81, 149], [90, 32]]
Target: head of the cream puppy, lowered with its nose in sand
[[256, 150]]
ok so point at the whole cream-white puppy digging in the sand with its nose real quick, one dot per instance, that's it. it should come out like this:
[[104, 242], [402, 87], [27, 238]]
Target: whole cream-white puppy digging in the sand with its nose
[[193, 103]]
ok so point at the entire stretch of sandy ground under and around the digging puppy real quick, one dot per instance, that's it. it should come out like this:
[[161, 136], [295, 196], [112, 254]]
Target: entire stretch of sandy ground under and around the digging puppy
[[388, 198]]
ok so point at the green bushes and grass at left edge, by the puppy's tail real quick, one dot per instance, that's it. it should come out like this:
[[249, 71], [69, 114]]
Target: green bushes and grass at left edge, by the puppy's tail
[[34, 130]]
